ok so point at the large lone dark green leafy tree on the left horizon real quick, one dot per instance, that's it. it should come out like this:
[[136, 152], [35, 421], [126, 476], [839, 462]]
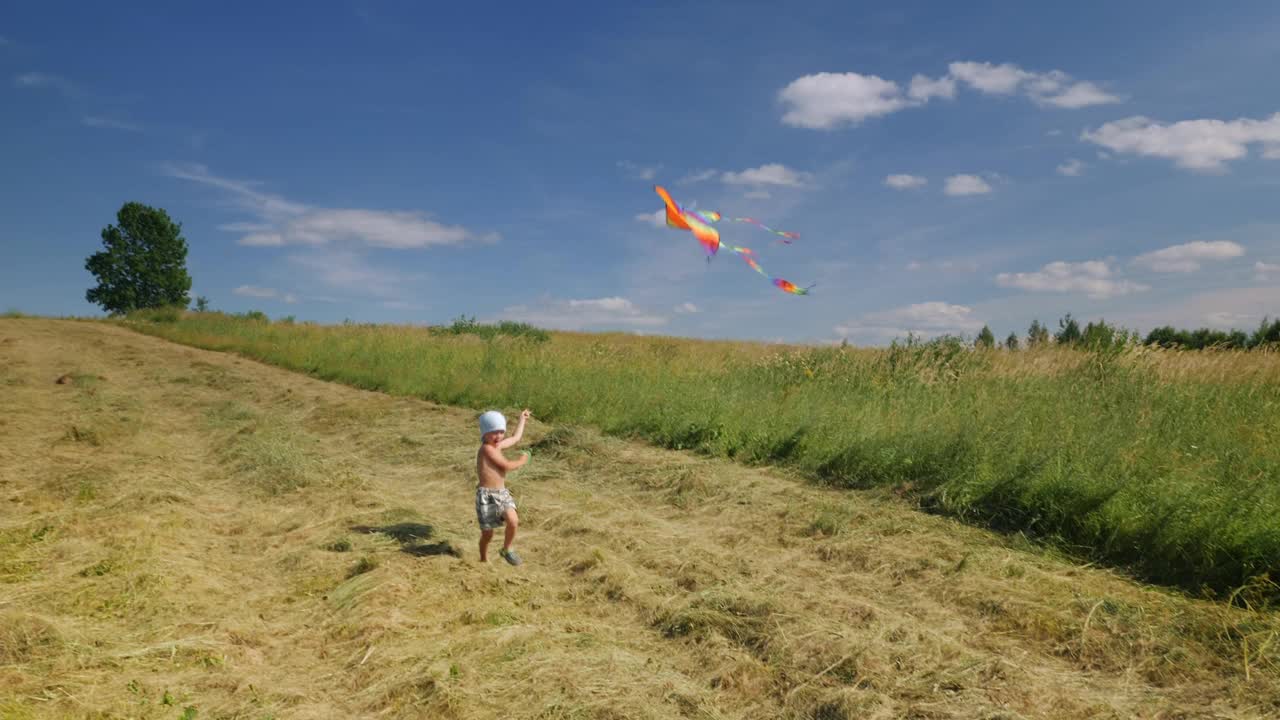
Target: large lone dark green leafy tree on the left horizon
[[144, 266]]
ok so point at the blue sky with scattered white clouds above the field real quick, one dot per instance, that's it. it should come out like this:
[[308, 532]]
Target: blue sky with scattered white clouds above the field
[[947, 166]]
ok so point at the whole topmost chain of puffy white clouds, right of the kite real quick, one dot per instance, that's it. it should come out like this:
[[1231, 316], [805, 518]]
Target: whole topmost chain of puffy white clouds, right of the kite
[[830, 101]]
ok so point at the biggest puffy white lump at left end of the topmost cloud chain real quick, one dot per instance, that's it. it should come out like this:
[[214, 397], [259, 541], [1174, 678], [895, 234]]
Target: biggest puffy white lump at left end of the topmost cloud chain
[[828, 101]]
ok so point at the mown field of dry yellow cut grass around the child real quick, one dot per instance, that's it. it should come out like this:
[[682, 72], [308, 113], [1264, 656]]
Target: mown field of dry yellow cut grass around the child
[[254, 544]]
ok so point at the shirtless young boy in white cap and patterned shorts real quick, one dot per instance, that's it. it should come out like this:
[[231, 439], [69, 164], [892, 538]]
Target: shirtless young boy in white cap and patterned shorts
[[495, 505]]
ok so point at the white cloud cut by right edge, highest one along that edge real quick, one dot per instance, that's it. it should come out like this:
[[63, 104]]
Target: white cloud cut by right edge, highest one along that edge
[[1204, 145]]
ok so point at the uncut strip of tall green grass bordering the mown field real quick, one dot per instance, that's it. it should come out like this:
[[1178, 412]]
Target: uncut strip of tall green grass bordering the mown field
[[1162, 462]]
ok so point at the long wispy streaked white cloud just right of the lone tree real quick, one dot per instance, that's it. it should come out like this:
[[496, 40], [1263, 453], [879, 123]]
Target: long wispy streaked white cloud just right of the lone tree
[[294, 224]]
